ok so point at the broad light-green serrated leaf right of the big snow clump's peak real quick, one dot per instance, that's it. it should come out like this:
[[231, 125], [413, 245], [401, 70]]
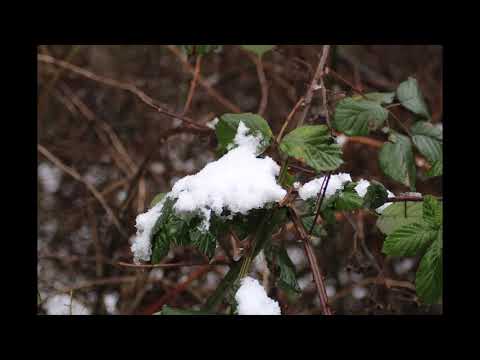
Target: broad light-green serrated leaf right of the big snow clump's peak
[[314, 146]]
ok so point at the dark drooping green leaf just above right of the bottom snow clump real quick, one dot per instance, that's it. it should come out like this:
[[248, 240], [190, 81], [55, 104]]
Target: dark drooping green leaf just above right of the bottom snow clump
[[284, 266]]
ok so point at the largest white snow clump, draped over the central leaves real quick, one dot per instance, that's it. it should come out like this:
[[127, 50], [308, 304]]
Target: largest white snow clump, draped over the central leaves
[[237, 182]]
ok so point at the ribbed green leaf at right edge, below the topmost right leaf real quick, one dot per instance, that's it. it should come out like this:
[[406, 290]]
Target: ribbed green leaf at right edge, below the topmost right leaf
[[428, 140]]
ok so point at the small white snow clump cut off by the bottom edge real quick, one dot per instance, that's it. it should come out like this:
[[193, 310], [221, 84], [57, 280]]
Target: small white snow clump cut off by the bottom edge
[[252, 299]]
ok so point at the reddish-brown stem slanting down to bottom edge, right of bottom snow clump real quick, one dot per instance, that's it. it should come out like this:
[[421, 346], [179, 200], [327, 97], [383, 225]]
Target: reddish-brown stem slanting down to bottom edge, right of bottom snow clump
[[317, 275]]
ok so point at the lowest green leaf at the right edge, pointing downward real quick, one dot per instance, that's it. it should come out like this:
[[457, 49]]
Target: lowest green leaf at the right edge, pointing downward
[[429, 278]]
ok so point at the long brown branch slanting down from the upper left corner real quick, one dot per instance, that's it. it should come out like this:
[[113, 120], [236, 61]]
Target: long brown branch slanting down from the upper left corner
[[119, 85]]
